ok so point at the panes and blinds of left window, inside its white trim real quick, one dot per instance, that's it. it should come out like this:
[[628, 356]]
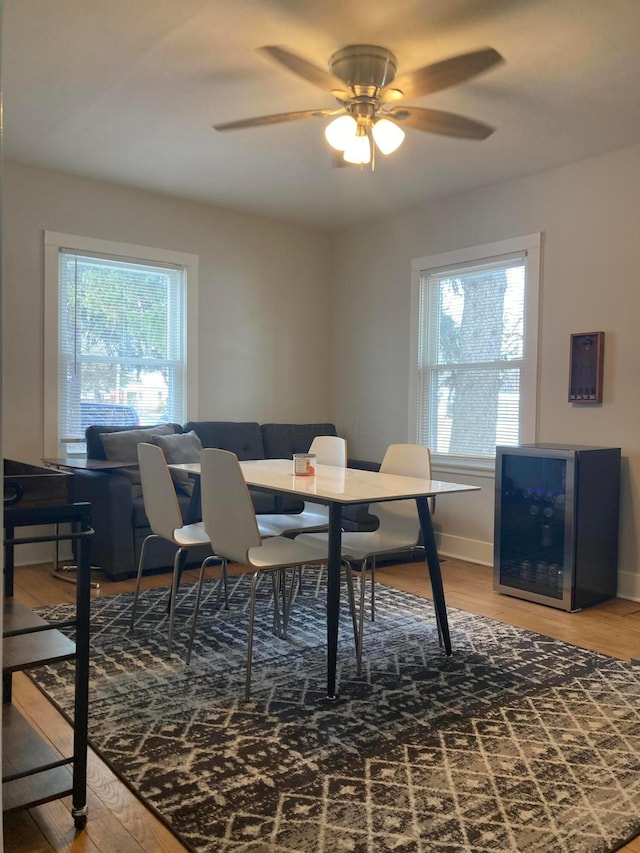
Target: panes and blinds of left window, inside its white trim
[[121, 342]]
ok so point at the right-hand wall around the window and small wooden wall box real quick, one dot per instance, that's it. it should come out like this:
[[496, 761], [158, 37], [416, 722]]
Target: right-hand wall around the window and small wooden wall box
[[589, 214]]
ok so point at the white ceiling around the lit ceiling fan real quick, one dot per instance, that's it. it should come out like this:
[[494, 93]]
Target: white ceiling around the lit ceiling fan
[[127, 91]]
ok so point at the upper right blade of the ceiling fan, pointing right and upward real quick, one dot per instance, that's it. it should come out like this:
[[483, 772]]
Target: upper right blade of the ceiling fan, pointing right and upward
[[441, 75]]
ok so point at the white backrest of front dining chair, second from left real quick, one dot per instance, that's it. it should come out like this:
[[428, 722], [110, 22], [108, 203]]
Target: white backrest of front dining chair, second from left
[[227, 511]]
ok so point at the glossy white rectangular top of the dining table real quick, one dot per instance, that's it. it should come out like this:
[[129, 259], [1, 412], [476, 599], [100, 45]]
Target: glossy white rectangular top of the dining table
[[336, 485]]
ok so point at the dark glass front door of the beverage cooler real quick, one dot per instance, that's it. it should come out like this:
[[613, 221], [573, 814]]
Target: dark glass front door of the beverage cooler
[[534, 526]]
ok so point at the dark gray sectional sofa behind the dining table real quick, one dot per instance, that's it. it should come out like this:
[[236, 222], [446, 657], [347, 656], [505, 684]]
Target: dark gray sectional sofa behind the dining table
[[118, 514]]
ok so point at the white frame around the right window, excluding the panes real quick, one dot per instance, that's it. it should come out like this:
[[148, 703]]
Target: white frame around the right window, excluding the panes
[[531, 244]]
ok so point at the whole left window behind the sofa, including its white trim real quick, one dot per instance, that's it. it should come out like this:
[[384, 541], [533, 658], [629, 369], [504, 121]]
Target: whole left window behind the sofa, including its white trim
[[121, 346]]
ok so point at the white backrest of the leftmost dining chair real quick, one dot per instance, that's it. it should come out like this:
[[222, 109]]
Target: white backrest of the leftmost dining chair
[[158, 491]]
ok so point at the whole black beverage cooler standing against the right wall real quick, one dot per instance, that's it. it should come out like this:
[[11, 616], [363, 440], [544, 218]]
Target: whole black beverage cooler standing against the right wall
[[556, 523]]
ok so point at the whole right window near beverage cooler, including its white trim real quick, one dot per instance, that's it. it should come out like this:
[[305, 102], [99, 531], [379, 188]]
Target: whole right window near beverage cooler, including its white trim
[[475, 349]]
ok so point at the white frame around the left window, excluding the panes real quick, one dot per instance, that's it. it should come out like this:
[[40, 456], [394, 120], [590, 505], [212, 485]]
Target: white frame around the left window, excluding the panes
[[55, 241]]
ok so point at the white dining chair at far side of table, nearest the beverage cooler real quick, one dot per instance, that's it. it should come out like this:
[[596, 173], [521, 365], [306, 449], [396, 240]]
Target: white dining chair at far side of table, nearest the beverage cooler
[[398, 530]]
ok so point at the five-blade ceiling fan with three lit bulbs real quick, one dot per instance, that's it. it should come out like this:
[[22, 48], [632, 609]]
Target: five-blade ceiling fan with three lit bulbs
[[362, 78]]
